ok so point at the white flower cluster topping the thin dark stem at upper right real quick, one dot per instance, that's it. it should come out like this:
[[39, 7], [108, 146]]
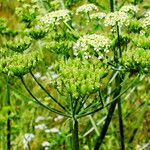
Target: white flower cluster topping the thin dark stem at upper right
[[118, 17]]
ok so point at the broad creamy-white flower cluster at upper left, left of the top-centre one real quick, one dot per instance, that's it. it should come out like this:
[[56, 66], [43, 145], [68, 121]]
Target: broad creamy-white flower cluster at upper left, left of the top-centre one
[[55, 17]]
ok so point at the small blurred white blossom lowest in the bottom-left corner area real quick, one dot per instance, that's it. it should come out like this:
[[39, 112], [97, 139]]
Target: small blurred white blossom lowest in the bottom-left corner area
[[26, 139]]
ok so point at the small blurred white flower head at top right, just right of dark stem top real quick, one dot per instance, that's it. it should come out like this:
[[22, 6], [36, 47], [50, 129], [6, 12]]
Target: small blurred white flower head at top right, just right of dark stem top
[[129, 8]]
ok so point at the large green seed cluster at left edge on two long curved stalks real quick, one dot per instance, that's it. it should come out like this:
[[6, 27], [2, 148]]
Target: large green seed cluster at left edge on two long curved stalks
[[19, 64]]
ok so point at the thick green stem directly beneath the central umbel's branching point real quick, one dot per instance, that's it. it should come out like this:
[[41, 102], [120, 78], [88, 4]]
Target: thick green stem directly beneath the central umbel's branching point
[[75, 137]]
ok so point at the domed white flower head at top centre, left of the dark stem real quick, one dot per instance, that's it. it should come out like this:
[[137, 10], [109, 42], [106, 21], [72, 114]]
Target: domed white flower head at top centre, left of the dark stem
[[86, 8]]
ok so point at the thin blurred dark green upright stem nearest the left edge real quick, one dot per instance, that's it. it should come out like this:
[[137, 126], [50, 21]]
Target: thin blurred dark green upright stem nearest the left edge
[[8, 120]]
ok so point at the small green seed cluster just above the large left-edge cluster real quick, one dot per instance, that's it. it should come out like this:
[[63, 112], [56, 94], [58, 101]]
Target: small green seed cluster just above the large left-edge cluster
[[19, 44]]
